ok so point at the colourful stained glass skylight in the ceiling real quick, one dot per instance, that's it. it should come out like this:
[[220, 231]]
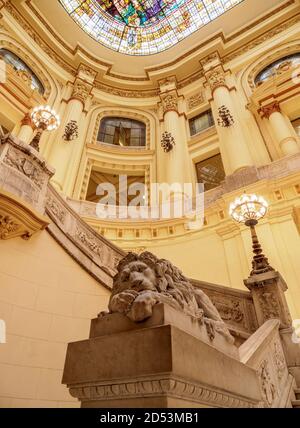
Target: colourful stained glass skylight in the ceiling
[[144, 27]]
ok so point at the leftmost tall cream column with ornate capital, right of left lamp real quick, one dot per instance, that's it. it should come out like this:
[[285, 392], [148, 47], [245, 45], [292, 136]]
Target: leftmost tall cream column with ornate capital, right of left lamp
[[65, 154]]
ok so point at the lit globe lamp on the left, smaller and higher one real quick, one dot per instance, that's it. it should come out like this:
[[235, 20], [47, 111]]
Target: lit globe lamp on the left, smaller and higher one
[[44, 119]]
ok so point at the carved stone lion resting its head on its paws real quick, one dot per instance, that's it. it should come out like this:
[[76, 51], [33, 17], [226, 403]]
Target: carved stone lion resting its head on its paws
[[144, 280]]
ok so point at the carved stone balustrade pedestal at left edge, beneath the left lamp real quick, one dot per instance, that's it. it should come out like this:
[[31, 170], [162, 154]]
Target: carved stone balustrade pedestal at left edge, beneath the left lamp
[[24, 178]]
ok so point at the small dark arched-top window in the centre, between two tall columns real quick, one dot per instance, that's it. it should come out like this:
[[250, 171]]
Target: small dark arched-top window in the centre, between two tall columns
[[123, 132]]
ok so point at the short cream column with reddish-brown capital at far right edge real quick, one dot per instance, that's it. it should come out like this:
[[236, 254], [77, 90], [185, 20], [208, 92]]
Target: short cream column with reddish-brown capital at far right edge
[[283, 133]]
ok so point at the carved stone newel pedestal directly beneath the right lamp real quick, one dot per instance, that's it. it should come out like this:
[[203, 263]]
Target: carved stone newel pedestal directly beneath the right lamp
[[267, 290]]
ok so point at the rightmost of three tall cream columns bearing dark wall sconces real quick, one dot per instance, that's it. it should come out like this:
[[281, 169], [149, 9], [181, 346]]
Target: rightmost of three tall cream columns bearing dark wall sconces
[[233, 143]]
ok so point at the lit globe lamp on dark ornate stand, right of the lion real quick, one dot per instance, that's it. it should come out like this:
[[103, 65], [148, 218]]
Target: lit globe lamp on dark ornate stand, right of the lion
[[249, 209]]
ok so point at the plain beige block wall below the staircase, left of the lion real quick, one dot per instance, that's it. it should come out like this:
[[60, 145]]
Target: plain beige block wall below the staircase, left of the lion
[[46, 300]]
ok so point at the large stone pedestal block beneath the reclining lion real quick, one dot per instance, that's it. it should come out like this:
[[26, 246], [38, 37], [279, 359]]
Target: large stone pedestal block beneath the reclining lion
[[165, 361]]
